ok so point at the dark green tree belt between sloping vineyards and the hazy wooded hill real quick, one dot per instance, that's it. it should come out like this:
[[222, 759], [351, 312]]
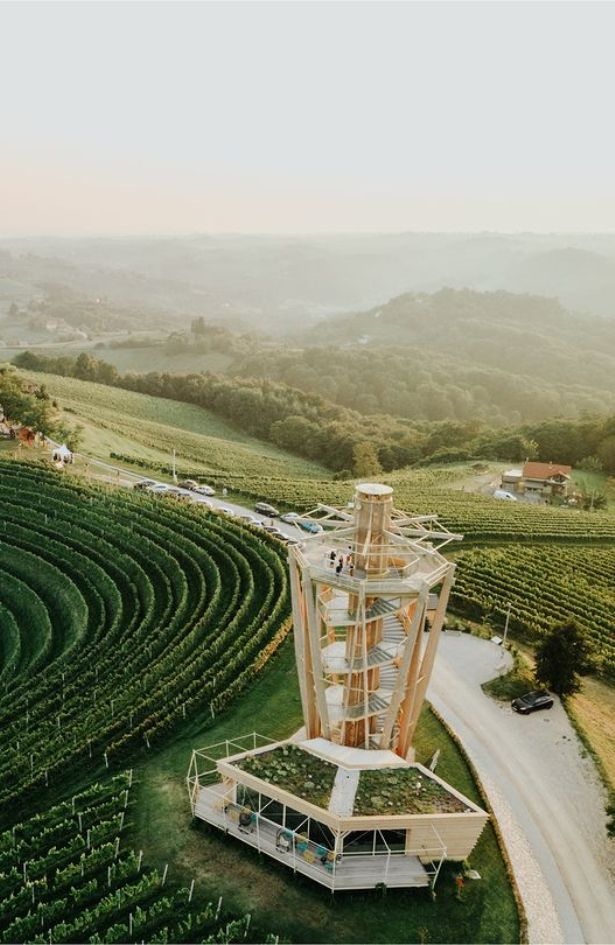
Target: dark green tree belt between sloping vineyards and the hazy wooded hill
[[342, 439]]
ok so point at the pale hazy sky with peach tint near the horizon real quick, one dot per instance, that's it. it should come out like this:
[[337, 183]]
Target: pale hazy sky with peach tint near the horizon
[[294, 117]]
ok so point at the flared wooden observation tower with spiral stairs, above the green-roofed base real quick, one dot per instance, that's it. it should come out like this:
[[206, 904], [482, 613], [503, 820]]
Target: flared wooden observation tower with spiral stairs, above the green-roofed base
[[367, 620]]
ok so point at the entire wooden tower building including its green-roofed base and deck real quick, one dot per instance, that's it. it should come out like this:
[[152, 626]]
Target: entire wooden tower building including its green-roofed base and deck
[[344, 801]]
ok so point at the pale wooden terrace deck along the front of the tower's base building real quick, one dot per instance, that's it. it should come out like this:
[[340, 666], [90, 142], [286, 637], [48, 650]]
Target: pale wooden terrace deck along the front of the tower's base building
[[351, 871]]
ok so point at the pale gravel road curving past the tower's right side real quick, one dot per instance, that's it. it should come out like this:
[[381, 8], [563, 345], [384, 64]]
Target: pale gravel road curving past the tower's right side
[[546, 796]]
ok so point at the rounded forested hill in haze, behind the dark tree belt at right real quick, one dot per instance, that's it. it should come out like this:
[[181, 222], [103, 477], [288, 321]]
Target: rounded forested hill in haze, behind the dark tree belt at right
[[455, 354]]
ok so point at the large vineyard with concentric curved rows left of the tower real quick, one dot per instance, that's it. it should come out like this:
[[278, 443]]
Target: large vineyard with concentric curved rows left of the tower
[[121, 616]]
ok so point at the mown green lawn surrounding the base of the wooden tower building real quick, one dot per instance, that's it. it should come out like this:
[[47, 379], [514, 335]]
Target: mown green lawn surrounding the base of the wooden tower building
[[292, 906]]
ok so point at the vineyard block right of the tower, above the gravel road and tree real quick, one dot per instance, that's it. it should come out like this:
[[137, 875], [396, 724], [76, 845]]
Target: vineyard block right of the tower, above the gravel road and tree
[[545, 586]]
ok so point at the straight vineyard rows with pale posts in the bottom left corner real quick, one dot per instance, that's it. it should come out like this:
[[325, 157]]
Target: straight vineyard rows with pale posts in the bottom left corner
[[66, 875]]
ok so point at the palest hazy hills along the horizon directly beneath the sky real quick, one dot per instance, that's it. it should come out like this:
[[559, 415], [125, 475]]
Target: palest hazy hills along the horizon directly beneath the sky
[[277, 283]]
